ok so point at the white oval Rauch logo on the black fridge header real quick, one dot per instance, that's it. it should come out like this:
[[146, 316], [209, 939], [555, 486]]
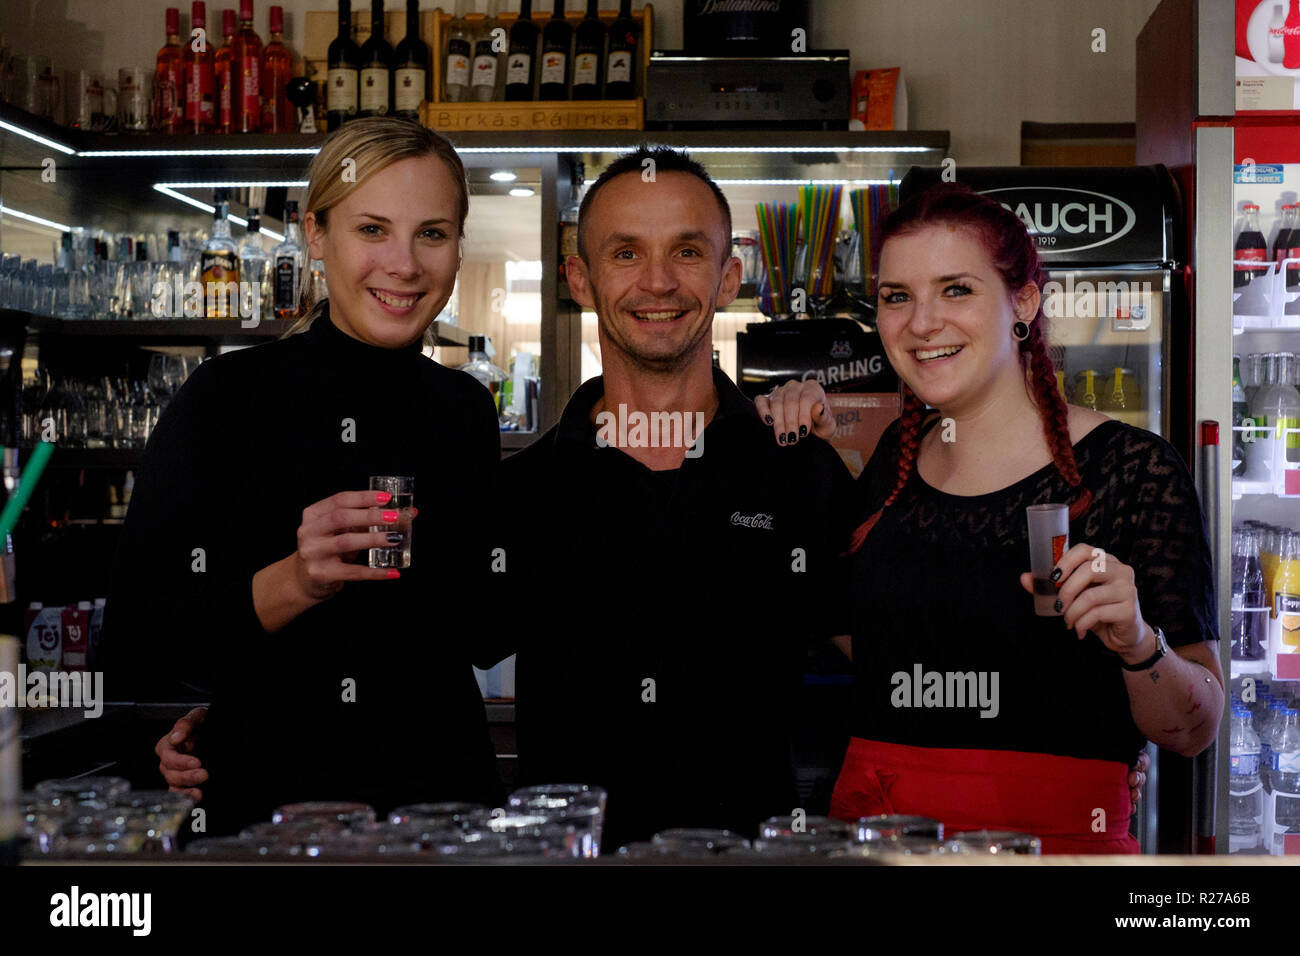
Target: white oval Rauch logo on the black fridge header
[[1068, 220]]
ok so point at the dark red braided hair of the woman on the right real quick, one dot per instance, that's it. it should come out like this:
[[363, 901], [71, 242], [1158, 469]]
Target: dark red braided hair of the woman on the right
[[1017, 261]]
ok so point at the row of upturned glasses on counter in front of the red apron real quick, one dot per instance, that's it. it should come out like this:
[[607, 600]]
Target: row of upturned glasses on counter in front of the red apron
[[885, 838]]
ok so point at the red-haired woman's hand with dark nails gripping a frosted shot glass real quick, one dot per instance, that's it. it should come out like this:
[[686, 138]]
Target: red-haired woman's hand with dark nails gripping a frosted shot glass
[[1098, 592]]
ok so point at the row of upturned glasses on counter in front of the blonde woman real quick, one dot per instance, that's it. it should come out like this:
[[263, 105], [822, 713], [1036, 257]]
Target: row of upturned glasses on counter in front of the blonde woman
[[557, 821]]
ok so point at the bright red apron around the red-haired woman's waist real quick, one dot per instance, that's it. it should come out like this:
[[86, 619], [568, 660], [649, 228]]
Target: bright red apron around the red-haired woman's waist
[[1052, 798]]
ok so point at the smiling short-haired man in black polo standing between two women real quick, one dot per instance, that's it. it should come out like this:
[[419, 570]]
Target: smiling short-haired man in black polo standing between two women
[[673, 583]]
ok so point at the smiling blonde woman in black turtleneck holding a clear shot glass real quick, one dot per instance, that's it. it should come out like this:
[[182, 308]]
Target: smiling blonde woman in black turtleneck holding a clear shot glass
[[242, 565]]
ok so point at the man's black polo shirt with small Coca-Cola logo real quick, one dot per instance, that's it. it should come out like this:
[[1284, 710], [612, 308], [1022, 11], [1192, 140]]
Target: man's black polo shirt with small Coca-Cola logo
[[671, 613]]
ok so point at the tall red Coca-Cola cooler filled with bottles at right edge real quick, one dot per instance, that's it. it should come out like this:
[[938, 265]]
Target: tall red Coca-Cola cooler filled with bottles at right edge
[[1219, 102]]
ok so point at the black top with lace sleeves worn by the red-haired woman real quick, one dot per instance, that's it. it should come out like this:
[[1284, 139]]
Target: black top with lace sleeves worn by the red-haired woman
[[937, 589]]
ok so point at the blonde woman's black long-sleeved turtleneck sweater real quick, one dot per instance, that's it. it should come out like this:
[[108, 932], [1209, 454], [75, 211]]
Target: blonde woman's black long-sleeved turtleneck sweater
[[250, 442]]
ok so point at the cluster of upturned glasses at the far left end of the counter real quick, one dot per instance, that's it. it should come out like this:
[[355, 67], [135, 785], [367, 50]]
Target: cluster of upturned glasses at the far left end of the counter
[[94, 816]]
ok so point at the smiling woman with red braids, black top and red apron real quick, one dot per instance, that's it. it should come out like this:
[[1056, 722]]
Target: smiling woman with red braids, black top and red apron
[[968, 707]]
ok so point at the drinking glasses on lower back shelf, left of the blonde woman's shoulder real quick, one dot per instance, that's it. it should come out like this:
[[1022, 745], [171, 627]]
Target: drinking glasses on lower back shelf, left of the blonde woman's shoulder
[[103, 413]]
